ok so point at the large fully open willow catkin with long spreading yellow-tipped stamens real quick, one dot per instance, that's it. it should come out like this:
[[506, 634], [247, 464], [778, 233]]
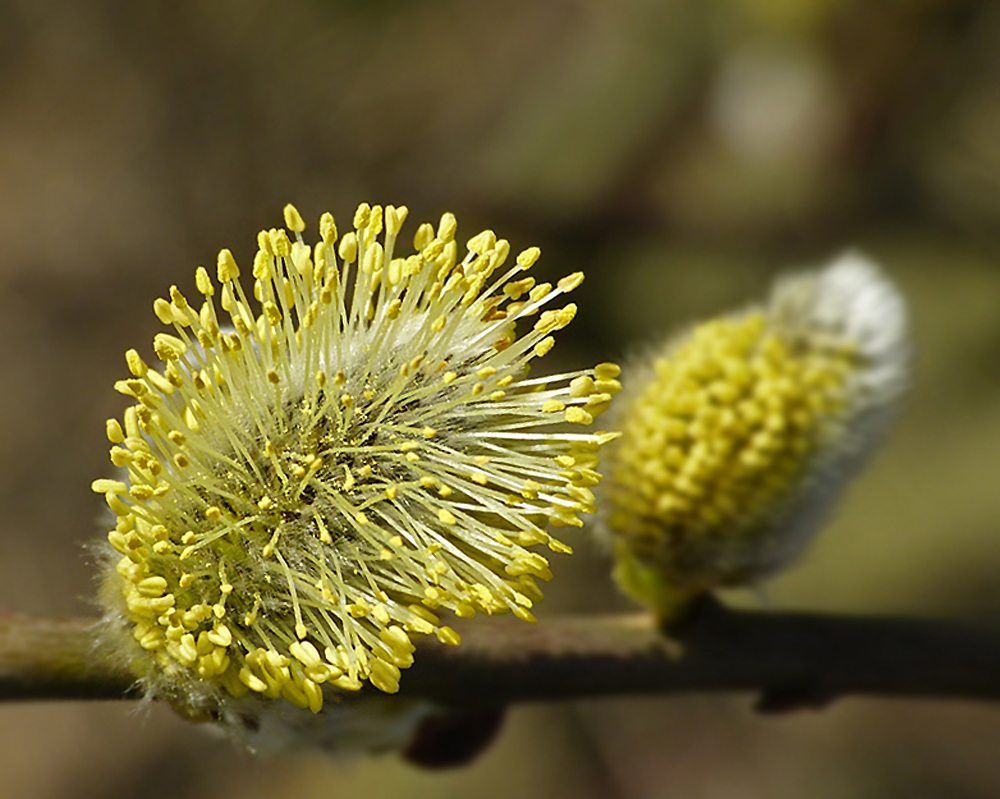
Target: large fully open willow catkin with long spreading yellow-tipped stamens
[[311, 476]]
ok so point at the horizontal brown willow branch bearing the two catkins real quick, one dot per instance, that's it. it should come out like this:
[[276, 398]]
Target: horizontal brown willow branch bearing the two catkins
[[789, 659]]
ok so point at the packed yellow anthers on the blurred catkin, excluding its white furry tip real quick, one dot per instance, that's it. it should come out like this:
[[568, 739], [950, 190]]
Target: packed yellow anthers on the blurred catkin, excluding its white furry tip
[[698, 454]]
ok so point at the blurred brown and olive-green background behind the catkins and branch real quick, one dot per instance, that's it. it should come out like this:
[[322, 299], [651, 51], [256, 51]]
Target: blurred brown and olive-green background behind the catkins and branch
[[680, 151]]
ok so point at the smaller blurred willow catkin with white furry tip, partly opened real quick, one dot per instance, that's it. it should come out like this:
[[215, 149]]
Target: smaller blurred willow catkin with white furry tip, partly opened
[[737, 436]]
